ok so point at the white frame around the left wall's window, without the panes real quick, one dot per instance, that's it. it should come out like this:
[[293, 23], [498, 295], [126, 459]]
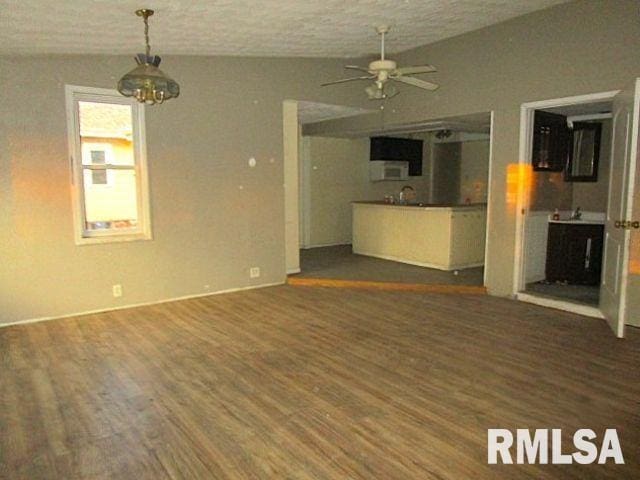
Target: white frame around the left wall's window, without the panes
[[83, 236]]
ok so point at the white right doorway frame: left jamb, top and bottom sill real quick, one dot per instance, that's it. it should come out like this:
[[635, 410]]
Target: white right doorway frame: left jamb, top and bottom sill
[[523, 195]]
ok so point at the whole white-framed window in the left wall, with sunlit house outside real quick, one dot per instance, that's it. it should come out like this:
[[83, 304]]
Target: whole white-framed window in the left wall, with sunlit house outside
[[109, 178]]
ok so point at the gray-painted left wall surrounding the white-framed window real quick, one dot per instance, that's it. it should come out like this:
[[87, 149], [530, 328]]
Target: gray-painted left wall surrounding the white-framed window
[[207, 231]]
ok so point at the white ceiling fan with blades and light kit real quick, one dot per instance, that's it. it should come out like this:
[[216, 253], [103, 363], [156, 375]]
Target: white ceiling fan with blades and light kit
[[383, 70]]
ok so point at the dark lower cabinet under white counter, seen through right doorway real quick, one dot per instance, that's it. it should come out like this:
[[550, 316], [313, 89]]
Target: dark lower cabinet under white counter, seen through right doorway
[[574, 253]]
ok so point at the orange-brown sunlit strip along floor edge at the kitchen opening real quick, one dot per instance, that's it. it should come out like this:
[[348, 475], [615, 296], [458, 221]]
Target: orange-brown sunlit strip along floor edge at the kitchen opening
[[389, 286]]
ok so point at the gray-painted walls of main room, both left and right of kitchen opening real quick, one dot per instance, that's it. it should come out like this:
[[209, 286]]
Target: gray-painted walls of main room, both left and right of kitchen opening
[[207, 231]]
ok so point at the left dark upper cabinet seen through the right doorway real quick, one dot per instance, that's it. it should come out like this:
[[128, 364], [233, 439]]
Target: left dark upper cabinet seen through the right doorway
[[550, 142]]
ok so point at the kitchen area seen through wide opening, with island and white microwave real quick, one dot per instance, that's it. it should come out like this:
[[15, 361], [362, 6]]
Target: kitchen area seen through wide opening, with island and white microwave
[[403, 206]]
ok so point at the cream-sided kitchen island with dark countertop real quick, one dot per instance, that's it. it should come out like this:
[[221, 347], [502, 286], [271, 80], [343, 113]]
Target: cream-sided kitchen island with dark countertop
[[446, 237]]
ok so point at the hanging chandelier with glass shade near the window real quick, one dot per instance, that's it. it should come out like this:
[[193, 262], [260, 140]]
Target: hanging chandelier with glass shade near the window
[[147, 83]]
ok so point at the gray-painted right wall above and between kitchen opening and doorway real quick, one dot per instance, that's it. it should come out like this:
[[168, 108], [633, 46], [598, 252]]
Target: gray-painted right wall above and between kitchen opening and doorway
[[572, 49]]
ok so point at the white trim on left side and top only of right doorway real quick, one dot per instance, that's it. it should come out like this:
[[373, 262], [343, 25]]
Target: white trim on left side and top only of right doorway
[[525, 146]]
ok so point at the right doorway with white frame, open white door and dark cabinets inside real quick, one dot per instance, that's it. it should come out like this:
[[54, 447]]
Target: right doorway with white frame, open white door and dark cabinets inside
[[565, 255]]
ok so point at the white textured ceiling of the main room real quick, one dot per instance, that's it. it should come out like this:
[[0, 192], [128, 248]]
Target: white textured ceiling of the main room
[[311, 28]]
